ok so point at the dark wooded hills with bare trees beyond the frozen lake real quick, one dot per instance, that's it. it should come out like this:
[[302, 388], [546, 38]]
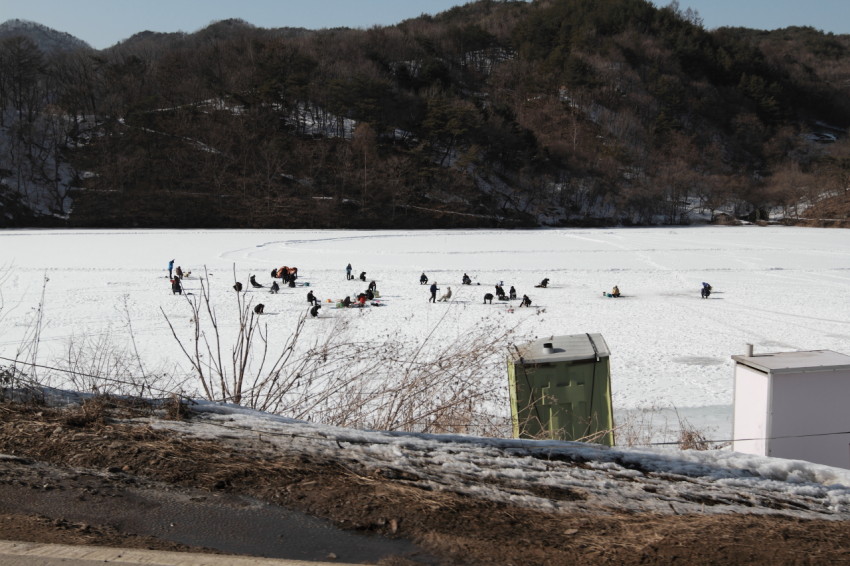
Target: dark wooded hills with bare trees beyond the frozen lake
[[495, 113]]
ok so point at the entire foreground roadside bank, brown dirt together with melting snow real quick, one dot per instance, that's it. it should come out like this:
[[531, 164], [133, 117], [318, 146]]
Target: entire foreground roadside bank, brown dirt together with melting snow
[[456, 500]]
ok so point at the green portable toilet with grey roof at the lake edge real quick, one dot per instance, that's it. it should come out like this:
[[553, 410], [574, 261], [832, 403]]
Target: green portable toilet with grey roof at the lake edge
[[560, 389]]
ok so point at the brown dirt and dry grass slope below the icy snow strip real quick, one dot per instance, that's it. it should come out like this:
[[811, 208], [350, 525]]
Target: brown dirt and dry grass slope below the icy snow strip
[[95, 449]]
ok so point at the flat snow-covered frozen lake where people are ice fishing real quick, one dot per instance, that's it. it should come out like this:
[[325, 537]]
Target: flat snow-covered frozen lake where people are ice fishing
[[779, 288]]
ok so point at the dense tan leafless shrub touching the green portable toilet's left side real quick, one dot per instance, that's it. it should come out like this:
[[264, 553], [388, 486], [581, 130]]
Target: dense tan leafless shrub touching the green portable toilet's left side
[[457, 387]]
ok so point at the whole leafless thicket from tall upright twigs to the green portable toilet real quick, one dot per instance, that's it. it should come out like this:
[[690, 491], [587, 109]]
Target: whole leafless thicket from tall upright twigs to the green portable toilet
[[414, 386]]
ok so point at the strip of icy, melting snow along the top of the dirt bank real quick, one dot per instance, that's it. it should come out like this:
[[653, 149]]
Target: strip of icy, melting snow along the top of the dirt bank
[[550, 476]]
